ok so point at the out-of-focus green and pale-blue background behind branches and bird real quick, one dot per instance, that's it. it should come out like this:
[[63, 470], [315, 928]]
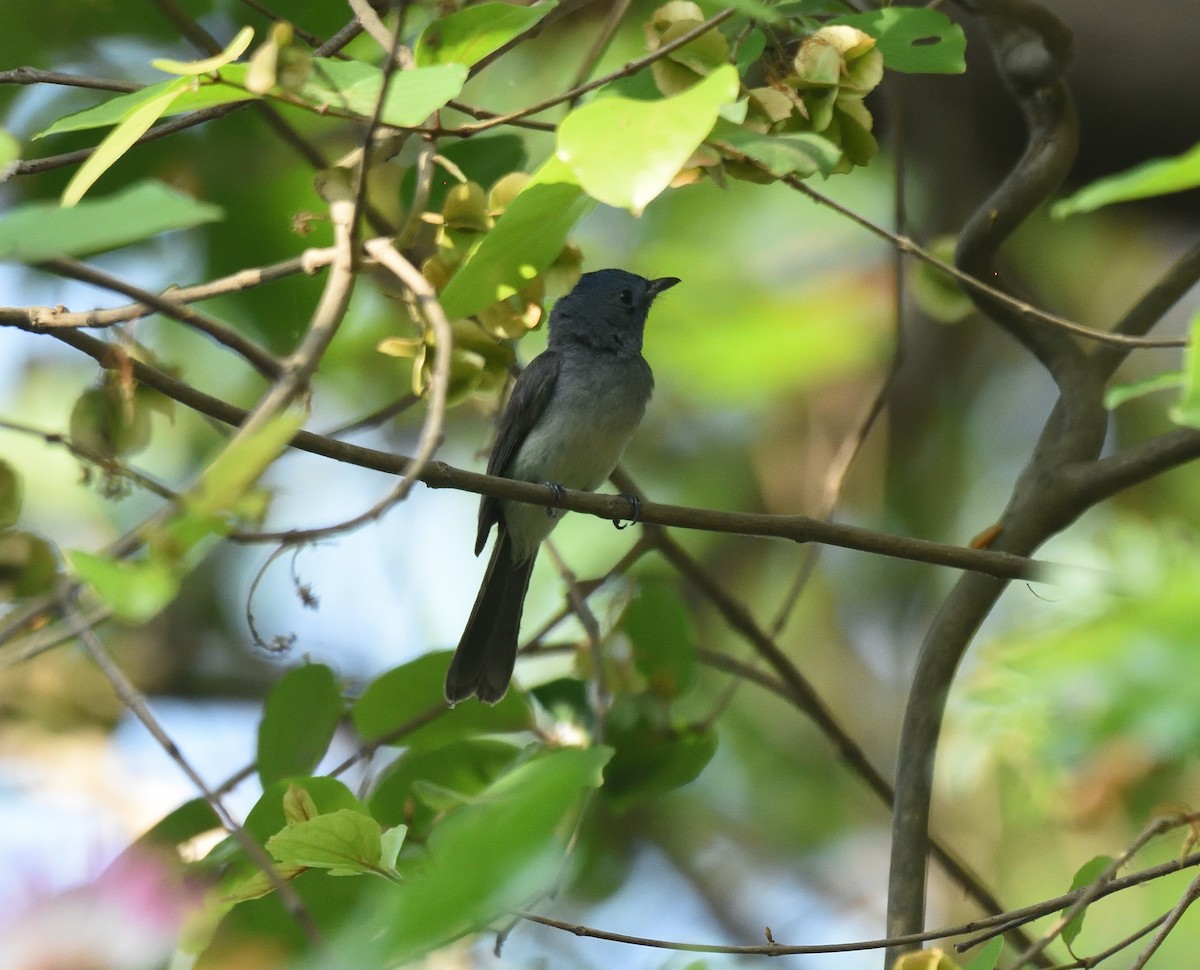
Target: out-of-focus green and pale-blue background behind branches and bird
[[1076, 717]]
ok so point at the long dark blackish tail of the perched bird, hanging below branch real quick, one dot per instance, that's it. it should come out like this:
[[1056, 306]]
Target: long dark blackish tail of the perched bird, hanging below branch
[[488, 651]]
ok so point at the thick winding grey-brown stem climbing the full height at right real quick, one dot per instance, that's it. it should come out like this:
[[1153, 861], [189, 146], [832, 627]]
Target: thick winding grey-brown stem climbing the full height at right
[[1033, 52]]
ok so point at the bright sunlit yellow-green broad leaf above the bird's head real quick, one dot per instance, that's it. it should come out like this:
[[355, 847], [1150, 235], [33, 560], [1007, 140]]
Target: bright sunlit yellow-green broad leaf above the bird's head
[[625, 153]]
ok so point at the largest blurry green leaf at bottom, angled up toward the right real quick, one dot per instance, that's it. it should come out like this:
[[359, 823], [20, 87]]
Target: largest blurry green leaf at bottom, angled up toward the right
[[484, 860]]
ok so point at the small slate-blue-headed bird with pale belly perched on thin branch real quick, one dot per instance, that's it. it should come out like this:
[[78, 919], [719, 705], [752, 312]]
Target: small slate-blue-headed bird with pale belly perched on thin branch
[[571, 416]]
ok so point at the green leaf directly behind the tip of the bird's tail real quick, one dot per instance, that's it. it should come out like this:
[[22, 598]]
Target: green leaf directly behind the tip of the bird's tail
[[412, 694]]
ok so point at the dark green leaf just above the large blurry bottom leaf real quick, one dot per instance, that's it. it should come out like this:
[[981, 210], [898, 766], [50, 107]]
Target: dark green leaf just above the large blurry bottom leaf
[[465, 767]]
